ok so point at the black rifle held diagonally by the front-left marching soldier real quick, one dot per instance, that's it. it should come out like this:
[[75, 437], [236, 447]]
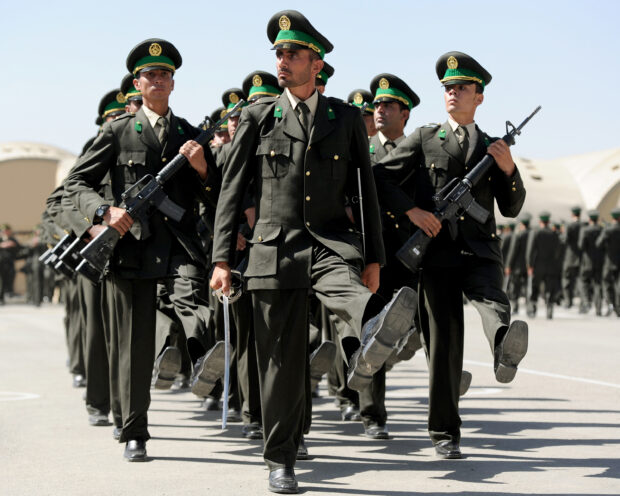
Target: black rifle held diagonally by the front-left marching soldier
[[140, 201]]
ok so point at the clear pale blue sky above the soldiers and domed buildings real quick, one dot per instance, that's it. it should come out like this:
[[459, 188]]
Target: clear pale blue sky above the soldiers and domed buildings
[[60, 58]]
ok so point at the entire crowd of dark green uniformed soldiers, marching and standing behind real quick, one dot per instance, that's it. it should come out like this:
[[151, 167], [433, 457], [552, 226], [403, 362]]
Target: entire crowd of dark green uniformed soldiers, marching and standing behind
[[291, 219]]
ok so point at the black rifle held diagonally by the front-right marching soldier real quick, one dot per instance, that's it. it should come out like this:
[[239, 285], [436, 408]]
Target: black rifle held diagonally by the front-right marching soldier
[[454, 200]]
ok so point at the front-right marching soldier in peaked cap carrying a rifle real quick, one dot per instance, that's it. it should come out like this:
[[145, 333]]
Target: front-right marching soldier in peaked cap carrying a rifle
[[471, 264]]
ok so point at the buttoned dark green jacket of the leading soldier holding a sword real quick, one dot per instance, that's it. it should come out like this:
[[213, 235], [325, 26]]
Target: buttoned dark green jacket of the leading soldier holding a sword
[[300, 187]]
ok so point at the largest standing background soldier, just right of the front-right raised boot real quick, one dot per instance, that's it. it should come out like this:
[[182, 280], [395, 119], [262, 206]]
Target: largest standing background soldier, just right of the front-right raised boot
[[543, 246]]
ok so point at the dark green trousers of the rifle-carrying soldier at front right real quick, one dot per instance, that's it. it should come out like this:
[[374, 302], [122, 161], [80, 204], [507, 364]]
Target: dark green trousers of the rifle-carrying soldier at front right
[[443, 327]]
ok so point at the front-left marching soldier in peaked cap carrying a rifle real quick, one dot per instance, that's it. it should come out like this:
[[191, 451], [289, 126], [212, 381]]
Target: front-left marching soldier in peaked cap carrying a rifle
[[127, 149]]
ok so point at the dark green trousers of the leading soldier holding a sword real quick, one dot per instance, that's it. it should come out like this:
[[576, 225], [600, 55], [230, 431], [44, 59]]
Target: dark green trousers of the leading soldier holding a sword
[[281, 327]]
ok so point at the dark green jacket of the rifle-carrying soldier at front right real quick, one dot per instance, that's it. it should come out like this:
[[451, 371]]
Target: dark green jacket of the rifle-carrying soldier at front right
[[423, 164]]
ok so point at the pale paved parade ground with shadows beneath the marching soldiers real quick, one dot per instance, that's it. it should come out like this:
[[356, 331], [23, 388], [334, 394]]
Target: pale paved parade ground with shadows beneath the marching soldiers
[[554, 430]]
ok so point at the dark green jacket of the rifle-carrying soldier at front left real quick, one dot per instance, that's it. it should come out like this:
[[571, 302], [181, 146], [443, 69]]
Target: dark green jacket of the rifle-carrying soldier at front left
[[127, 149]]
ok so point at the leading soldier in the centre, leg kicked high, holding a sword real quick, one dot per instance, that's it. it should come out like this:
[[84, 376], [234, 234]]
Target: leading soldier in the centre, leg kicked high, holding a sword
[[302, 151]]
